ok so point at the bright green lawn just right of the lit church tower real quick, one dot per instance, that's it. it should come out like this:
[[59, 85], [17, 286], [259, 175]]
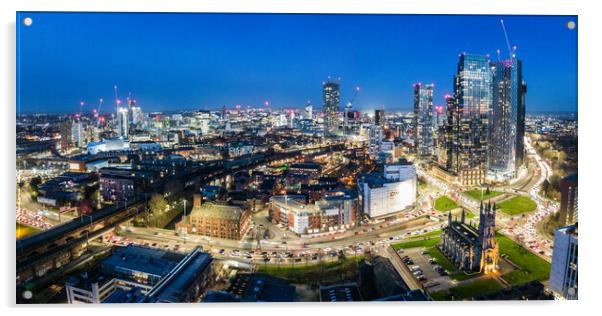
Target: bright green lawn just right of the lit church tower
[[532, 266]]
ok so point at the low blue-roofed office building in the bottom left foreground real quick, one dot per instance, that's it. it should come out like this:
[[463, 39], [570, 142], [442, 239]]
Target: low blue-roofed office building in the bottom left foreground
[[137, 274]]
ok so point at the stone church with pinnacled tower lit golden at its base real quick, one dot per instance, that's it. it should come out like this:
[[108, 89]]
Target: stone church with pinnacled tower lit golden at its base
[[470, 248]]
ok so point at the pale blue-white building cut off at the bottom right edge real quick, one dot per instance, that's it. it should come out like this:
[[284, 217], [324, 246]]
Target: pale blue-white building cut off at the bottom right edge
[[563, 275]]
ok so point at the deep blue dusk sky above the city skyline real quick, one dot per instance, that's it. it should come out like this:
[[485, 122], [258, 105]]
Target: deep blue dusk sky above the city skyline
[[207, 61]]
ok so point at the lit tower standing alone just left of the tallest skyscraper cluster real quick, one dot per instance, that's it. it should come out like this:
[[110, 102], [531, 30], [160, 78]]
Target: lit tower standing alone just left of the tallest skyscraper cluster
[[423, 120]]
